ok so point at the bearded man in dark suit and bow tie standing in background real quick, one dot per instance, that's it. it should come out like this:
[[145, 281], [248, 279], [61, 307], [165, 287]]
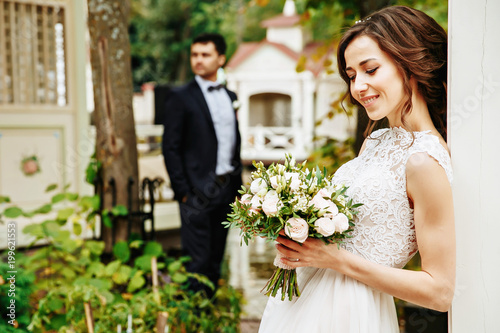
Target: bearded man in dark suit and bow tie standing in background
[[201, 147]]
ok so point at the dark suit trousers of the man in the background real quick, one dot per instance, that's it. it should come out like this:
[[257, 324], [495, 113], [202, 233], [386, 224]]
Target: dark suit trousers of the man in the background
[[203, 237]]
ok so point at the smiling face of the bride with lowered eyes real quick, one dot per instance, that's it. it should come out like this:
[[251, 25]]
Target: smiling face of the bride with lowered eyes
[[375, 81]]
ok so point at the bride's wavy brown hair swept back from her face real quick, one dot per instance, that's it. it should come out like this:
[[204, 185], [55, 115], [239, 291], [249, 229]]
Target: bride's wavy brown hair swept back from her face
[[418, 46]]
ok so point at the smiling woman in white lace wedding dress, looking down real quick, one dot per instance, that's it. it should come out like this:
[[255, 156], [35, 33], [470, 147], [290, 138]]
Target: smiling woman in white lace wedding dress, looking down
[[394, 64]]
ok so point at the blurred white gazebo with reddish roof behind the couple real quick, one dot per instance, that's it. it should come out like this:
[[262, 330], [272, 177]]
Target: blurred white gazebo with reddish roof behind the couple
[[280, 106]]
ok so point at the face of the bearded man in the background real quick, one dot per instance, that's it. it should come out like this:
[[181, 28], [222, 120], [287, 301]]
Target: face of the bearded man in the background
[[205, 60]]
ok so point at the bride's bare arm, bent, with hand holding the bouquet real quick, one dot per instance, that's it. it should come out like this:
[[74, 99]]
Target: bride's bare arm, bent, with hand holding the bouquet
[[433, 286]]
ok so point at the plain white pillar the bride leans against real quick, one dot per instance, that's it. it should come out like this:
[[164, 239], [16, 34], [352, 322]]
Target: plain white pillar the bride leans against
[[474, 129]]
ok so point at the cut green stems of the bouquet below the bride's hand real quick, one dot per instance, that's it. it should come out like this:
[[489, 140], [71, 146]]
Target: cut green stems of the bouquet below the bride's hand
[[285, 280]]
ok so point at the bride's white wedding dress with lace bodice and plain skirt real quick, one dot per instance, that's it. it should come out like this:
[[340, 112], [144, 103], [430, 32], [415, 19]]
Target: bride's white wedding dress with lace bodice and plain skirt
[[384, 233]]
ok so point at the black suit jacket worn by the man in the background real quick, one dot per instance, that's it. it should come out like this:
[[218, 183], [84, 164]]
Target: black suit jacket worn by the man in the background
[[190, 144]]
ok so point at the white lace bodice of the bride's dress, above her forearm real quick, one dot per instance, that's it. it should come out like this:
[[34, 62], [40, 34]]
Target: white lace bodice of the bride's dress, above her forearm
[[384, 229]]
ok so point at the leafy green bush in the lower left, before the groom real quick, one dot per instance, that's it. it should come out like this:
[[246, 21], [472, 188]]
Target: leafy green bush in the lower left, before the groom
[[69, 271]]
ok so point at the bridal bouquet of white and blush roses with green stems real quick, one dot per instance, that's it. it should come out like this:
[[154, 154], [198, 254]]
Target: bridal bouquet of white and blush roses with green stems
[[301, 202]]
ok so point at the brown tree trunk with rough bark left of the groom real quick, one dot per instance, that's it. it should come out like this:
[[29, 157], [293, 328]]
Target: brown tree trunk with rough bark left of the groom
[[116, 145]]
